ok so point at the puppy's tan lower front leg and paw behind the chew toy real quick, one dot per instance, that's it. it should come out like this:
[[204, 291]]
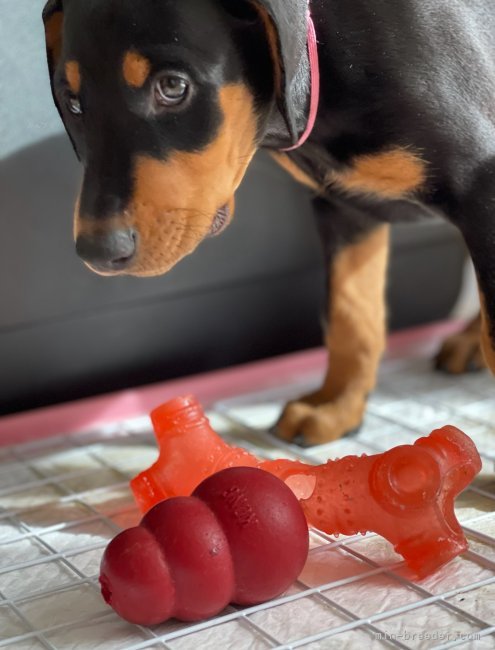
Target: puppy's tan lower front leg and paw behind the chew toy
[[355, 342]]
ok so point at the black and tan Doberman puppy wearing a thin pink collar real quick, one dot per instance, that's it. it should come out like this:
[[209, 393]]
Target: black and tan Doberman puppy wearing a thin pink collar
[[166, 102]]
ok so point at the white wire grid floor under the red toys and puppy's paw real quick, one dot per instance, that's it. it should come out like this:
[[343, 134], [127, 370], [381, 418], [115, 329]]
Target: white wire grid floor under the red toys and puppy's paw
[[62, 499]]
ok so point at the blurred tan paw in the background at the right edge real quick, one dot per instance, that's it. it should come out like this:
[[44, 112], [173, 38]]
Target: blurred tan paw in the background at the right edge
[[460, 353]]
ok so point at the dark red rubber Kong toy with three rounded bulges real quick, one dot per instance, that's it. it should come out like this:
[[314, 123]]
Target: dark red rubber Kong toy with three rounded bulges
[[241, 537]]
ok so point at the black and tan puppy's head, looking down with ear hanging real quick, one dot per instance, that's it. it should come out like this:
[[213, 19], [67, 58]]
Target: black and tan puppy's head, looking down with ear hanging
[[166, 102]]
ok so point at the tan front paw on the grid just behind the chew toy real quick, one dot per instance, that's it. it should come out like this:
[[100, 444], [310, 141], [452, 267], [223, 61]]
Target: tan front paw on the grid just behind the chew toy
[[314, 424]]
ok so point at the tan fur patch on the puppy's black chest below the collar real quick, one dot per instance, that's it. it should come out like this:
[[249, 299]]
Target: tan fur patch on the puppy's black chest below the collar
[[389, 174]]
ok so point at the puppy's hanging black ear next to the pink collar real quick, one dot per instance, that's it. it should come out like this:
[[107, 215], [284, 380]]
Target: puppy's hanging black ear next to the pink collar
[[286, 24]]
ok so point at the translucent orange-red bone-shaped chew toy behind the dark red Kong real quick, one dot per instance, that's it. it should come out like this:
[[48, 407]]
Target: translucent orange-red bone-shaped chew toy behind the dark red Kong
[[405, 494]]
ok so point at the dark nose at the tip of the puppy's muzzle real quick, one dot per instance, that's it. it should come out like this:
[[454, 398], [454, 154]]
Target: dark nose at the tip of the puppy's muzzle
[[112, 251]]
